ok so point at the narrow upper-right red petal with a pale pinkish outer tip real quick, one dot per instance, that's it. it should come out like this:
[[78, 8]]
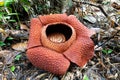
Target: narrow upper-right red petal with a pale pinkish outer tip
[[79, 27]]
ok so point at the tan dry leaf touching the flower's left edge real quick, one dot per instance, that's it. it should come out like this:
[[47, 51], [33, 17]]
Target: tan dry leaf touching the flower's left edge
[[20, 46]]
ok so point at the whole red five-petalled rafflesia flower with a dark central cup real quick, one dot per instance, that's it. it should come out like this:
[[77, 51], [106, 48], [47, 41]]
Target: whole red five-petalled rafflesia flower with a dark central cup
[[57, 40]]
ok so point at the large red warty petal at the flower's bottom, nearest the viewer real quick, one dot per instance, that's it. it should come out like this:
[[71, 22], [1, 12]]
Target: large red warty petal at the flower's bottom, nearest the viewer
[[48, 60]]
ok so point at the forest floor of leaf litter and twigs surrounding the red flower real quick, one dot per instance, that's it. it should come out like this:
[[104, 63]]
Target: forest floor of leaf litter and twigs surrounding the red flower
[[102, 16]]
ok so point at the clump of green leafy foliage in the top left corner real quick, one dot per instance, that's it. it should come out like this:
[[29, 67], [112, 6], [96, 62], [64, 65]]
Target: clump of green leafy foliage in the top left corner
[[10, 11]]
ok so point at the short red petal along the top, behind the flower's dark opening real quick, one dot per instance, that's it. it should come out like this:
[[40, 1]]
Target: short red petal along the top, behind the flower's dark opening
[[52, 18]]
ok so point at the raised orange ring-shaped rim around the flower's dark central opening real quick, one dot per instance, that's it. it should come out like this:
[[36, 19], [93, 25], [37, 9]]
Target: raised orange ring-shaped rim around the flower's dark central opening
[[57, 46]]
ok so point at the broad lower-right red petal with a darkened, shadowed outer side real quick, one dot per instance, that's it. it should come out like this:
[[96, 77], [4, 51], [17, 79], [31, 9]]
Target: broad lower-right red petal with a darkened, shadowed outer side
[[80, 51]]
